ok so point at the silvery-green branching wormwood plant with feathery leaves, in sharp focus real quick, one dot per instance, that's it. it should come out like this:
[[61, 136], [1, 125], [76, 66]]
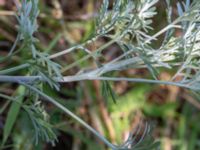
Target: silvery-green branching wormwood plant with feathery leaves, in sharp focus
[[127, 24]]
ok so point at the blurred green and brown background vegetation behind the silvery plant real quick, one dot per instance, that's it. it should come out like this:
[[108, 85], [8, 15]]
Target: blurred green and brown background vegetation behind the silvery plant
[[172, 112]]
